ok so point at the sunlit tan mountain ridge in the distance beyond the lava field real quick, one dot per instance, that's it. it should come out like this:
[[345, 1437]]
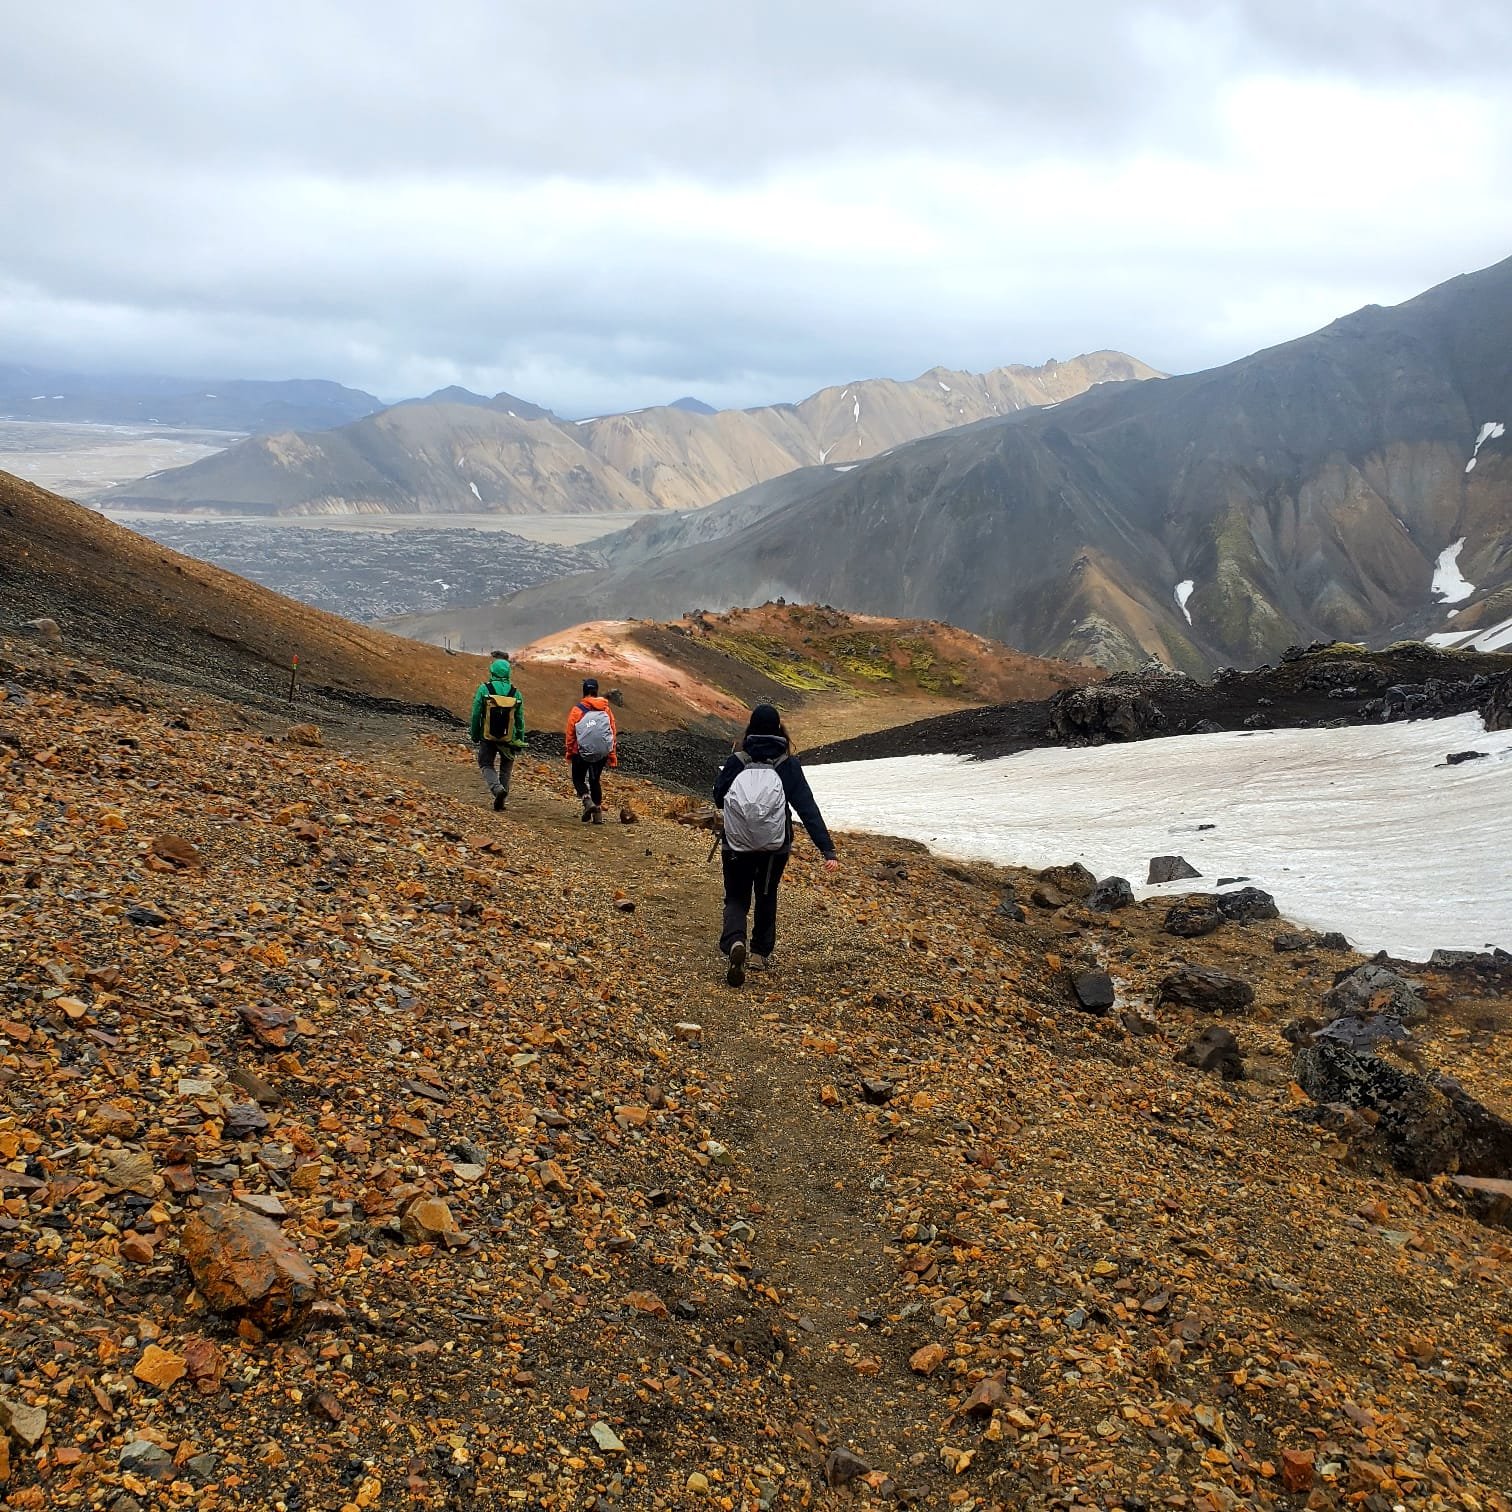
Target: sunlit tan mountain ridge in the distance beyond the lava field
[[460, 453]]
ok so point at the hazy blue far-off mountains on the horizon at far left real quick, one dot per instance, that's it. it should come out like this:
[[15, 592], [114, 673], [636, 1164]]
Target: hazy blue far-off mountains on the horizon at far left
[[231, 404]]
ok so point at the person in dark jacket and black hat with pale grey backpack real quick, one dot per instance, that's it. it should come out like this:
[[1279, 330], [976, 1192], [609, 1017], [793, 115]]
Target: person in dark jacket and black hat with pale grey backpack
[[758, 790]]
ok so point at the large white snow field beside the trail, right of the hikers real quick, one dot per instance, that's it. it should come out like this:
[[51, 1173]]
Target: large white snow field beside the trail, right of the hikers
[[1362, 831]]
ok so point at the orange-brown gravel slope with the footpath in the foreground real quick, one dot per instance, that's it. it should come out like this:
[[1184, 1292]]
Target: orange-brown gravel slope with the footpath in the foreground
[[572, 1251]]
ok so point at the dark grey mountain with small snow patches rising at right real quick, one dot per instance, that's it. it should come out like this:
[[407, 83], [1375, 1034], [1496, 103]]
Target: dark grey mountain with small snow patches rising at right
[[1352, 485]]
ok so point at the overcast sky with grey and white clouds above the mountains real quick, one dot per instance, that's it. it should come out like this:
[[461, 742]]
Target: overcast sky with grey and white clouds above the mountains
[[603, 206]]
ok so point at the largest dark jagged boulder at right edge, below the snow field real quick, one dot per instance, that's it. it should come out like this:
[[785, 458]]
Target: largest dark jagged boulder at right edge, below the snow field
[[1427, 1127]]
